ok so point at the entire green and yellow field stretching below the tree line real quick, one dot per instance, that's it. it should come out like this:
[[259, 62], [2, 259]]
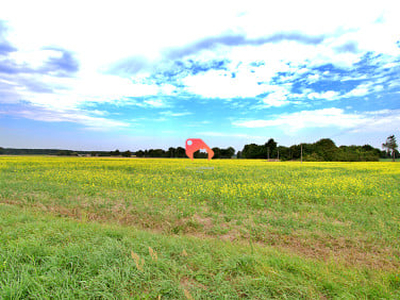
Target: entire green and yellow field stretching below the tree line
[[175, 228]]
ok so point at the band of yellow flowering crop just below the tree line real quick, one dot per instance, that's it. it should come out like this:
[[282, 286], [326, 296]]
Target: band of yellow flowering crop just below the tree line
[[253, 183]]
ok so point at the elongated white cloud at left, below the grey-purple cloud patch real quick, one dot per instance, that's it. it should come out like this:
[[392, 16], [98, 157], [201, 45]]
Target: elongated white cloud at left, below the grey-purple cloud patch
[[70, 93]]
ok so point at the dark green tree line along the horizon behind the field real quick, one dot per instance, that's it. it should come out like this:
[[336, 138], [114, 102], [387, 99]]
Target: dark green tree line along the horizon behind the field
[[322, 150]]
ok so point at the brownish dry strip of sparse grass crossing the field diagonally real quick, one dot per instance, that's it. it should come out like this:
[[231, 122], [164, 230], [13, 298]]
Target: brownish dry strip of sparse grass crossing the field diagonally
[[347, 251]]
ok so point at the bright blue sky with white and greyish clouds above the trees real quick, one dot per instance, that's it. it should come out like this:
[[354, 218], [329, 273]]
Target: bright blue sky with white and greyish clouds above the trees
[[105, 75]]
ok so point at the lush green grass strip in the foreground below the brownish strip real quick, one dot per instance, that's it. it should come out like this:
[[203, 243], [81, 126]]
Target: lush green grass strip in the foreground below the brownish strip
[[42, 256]]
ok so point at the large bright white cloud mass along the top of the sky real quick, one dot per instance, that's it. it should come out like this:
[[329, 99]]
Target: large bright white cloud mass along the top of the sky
[[115, 38]]
